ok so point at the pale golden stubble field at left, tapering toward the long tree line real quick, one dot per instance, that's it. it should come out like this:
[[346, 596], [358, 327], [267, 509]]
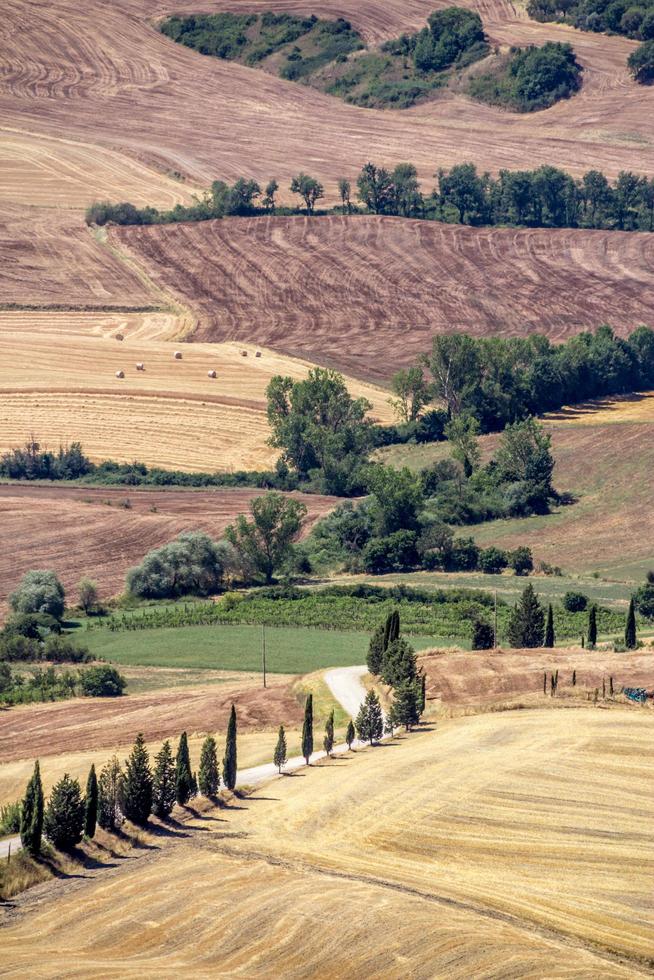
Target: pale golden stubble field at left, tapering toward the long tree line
[[52, 171]]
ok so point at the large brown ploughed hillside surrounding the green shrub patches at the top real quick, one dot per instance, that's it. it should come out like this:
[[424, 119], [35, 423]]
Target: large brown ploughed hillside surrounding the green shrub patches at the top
[[101, 73]]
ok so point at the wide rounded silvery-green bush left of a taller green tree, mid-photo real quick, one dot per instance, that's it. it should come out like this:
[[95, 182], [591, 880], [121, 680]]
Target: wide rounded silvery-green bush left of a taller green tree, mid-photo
[[192, 564]]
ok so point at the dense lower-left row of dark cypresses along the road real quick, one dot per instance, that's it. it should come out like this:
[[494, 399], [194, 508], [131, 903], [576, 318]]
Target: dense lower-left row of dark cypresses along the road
[[133, 794]]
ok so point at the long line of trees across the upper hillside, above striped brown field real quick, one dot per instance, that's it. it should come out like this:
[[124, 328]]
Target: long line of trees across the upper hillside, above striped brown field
[[546, 197]]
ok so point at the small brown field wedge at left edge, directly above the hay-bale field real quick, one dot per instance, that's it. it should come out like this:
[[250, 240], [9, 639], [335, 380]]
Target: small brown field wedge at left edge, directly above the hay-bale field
[[49, 257]]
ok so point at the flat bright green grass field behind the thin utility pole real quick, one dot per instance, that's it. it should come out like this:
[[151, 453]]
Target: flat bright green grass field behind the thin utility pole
[[288, 650]]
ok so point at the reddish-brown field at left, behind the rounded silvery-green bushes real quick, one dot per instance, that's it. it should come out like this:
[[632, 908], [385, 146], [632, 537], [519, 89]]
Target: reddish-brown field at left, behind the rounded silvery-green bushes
[[80, 531]]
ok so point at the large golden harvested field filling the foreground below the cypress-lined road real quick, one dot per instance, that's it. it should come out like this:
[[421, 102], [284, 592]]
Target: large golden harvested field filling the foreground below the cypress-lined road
[[484, 848]]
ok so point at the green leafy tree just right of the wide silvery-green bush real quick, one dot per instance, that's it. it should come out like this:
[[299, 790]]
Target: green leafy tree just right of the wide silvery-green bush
[[266, 542]]
